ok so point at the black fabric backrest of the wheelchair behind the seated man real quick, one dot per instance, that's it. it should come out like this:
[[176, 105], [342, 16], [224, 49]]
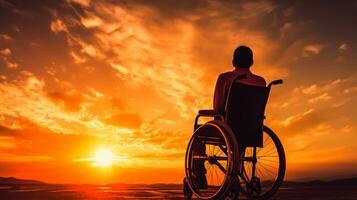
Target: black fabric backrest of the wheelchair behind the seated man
[[244, 112]]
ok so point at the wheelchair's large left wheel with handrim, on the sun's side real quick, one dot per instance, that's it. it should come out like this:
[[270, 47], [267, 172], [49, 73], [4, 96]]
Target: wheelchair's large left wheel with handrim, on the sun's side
[[212, 161]]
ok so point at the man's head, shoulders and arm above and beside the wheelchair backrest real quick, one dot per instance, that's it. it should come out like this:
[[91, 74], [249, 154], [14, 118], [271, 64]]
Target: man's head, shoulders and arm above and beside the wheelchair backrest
[[242, 61]]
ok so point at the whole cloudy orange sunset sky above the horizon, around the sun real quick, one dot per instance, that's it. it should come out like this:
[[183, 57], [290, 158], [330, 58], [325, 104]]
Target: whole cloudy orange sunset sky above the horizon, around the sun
[[78, 76]]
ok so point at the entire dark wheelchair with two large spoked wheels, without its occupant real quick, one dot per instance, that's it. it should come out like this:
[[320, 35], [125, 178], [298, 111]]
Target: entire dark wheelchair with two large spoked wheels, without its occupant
[[235, 153]]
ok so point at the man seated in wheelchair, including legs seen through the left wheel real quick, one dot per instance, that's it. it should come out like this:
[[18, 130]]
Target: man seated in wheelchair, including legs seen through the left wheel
[[242, 61]]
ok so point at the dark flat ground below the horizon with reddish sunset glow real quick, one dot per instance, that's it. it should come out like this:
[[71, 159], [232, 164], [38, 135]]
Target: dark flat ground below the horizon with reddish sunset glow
[[77, 192]]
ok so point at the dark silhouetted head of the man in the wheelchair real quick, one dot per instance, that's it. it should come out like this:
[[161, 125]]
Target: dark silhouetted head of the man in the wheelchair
[[242, 57]]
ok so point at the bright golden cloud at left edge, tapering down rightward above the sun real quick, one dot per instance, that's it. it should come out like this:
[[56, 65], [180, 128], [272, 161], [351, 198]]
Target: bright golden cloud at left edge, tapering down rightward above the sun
[[56, 111]]
